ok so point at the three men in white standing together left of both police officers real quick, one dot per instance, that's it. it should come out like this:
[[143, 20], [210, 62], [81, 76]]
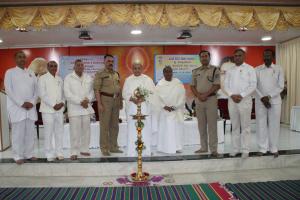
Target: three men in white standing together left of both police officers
[[23, 89]]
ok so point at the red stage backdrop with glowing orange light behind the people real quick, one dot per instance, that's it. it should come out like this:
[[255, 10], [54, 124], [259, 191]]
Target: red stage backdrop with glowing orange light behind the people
[[126, 55]]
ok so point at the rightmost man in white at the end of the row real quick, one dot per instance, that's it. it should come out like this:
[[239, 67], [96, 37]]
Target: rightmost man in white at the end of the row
[[270, 83]]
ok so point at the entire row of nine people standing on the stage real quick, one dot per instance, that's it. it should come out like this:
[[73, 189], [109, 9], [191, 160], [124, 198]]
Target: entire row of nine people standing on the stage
[[164, 107]]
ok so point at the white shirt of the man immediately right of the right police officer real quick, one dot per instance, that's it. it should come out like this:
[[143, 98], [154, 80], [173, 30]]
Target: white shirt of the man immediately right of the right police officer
[[240, 80]]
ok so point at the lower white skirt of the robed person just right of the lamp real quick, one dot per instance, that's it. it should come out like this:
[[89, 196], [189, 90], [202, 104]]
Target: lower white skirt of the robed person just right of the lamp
[[169, 134]]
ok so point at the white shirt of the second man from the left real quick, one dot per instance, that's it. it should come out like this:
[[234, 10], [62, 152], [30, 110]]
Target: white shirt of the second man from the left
[[50, 92]]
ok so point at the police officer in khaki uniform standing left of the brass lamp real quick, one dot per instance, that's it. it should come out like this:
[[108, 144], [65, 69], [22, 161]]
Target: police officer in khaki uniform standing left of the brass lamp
[[108, 94]]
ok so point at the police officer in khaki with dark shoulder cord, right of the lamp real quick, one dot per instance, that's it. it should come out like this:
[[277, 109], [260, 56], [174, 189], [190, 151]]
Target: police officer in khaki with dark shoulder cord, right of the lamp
[[205, 84]]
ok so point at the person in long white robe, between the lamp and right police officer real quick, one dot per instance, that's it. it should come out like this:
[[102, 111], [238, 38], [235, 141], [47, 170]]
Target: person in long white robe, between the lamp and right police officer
[[171, 95]]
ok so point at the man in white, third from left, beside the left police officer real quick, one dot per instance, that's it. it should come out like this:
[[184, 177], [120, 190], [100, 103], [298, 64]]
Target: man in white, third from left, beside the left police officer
[[78, 90]]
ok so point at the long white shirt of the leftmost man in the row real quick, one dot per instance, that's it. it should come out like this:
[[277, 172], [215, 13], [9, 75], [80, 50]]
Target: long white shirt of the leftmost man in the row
[[20, 86]]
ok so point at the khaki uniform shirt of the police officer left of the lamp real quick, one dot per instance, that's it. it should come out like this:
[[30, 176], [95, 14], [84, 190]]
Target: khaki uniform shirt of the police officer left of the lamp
[[108, 82]]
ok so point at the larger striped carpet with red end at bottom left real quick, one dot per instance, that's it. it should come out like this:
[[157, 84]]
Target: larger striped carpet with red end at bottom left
[[213, 191]]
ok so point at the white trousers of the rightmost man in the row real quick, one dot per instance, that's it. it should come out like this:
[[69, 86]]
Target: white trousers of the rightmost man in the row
[[268, 127]]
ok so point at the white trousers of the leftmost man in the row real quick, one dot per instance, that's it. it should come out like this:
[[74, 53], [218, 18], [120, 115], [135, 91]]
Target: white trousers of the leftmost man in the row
[[23, 133]]
